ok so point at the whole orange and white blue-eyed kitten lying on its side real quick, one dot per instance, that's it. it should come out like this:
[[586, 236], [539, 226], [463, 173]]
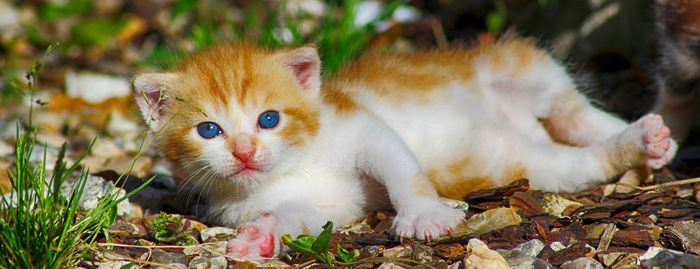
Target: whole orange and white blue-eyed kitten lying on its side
[[277, 152]]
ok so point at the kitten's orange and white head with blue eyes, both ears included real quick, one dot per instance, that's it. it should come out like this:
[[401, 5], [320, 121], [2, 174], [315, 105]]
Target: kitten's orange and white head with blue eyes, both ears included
[[233, 115]]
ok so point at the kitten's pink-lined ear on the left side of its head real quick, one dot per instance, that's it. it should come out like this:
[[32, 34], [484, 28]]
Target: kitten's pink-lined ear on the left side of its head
[[150, 92]]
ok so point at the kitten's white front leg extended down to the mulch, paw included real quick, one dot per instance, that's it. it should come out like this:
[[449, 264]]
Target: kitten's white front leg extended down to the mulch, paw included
[[419, 211]]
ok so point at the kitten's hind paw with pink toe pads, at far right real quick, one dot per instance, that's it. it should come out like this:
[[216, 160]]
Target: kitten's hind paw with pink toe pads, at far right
[[659, 148]]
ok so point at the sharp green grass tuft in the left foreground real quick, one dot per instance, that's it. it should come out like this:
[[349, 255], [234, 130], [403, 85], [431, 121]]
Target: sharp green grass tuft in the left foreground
[[39, 226]]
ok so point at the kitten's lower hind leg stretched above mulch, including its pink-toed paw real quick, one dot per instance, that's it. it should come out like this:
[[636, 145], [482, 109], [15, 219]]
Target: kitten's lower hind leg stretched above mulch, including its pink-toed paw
[[556, 167]]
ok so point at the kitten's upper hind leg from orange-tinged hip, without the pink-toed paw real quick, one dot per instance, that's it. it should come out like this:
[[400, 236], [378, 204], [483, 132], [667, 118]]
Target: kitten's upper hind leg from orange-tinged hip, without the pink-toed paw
[[533, 83]]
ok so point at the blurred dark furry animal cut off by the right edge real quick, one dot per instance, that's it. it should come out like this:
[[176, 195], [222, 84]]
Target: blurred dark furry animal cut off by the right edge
[[678, 77]]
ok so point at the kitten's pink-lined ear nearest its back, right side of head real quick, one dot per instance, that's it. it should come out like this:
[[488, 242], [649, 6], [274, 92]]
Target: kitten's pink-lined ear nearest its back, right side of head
[[306, 66]]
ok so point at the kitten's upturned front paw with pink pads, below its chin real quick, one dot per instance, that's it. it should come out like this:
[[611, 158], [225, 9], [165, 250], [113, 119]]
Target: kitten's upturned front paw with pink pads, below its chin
[[254, 239]]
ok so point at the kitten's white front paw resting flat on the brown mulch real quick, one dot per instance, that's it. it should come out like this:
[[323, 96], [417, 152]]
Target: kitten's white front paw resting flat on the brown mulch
[[427, 220]]
